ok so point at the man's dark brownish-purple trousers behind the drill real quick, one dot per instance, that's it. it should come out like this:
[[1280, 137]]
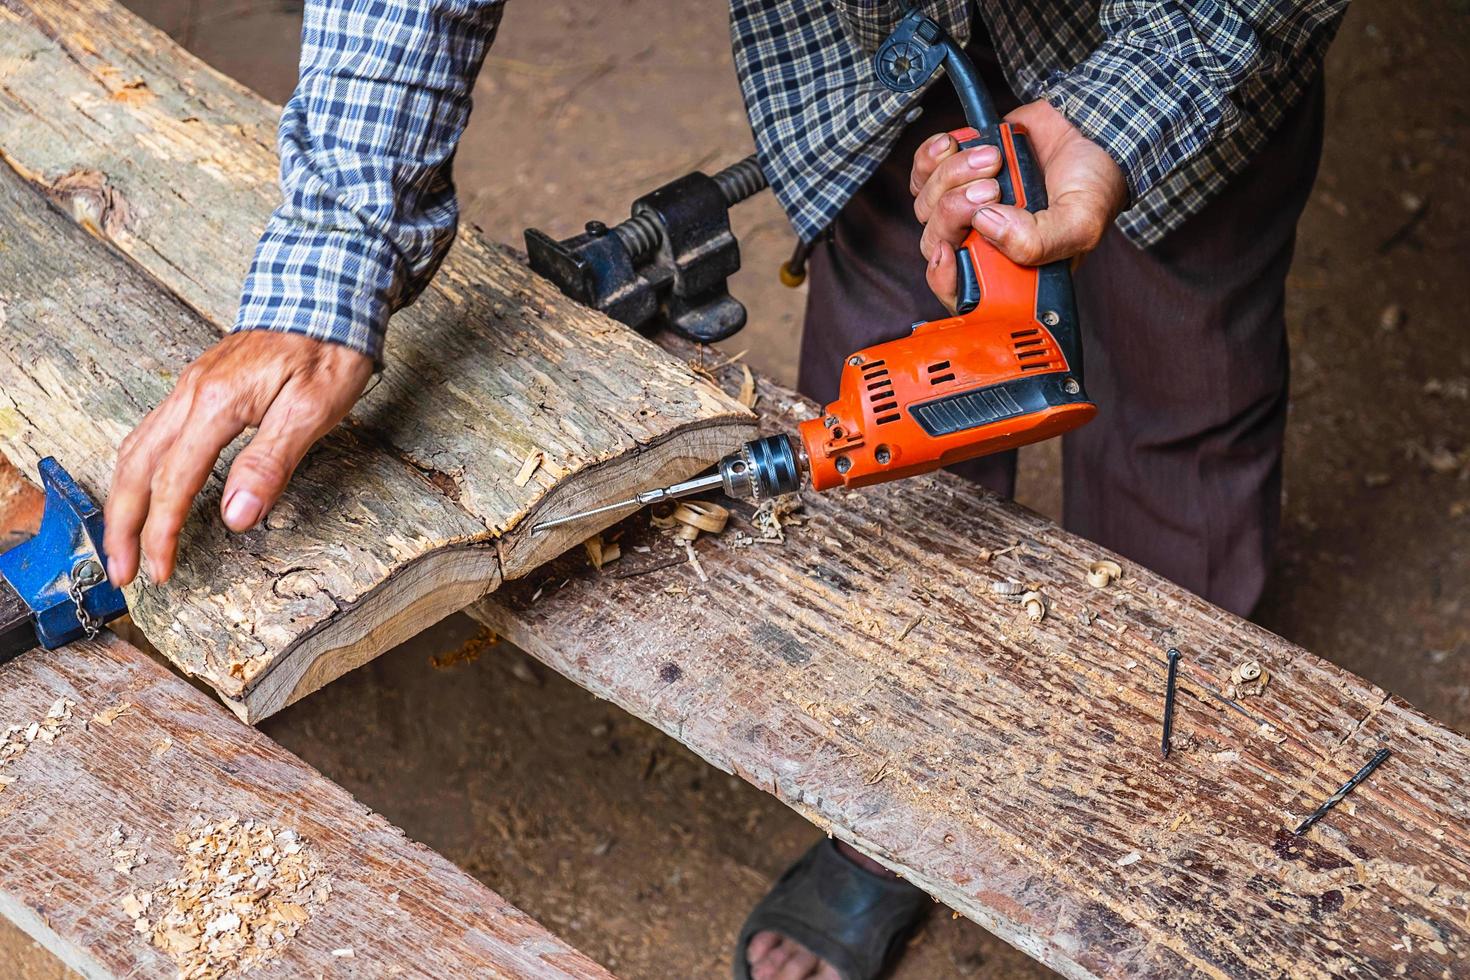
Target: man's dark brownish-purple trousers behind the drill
[[1184, 349]]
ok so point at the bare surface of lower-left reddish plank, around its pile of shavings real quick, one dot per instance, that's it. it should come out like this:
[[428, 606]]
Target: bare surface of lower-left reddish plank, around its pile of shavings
[[173, 759]]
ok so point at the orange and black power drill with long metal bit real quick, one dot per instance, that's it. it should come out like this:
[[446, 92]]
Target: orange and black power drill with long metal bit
[[1003, 372]]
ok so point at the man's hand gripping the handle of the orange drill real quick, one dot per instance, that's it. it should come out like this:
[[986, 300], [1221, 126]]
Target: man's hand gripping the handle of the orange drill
[[1086, 192]]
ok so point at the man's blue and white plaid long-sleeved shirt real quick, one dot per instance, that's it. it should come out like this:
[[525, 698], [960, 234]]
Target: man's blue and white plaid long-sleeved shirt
[[1181, 93]]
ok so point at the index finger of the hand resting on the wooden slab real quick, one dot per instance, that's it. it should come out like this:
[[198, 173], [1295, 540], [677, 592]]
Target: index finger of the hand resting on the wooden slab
[[220, 411]]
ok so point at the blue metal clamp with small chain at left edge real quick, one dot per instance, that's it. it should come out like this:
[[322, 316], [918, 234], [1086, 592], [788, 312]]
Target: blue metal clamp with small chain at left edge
[[54, 588]]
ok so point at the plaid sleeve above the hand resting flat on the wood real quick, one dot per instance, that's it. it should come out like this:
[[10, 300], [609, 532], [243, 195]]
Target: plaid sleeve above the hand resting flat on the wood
[[367, 145]]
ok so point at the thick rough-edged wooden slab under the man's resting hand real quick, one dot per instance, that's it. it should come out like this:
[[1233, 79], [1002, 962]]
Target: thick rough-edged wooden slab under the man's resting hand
[[404, 518]]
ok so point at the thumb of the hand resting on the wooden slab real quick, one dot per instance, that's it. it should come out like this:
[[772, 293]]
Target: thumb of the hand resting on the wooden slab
[[259, 475]]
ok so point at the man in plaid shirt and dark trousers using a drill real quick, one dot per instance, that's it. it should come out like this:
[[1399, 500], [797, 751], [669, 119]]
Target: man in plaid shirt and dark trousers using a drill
[[1178, 139]]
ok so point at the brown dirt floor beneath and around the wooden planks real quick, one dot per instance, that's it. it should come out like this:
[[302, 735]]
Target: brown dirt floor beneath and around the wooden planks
[[630, 846]]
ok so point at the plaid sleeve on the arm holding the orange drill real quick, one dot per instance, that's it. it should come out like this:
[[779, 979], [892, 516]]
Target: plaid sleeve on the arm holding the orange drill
[[1171, 76]]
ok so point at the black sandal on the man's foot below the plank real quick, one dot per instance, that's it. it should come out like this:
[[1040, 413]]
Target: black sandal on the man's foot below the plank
[[847, 916]]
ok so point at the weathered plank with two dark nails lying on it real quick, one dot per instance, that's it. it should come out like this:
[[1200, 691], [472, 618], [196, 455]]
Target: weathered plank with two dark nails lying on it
[[865, 674]]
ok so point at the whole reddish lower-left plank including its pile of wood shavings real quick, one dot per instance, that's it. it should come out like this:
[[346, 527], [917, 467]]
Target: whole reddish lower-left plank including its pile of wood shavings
[[221, 853]]
